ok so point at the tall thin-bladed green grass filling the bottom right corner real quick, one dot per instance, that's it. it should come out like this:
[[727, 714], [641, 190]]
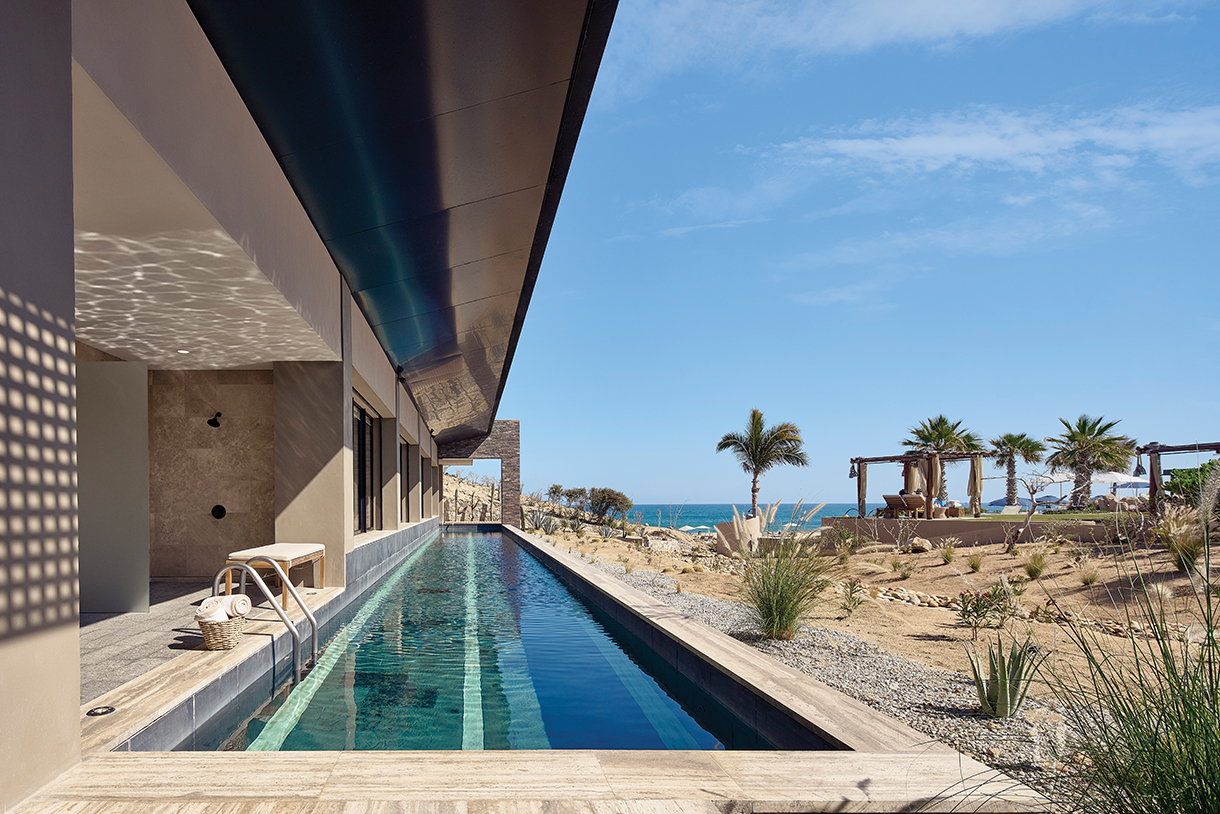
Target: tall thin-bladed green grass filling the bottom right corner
[[1146, 721]]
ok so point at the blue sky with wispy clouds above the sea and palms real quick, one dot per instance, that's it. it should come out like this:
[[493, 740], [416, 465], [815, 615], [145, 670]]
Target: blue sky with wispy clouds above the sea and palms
[[855, 215]]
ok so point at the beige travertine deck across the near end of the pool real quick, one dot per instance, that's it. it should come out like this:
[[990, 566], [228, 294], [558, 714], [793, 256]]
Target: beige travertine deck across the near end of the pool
[[374, 783]]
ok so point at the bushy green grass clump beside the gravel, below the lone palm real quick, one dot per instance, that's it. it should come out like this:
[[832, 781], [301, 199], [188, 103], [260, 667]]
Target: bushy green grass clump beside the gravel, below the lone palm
[[784, 586]]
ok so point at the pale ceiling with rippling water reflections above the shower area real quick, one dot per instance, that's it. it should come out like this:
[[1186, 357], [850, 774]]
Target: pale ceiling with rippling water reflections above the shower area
[[156, 274]]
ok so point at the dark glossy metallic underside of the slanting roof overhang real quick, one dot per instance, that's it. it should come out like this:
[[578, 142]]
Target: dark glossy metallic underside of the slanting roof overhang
[[429, 141]]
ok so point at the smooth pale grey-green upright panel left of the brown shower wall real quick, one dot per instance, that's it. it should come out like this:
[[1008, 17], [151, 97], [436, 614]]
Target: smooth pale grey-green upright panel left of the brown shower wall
[[113, 484]]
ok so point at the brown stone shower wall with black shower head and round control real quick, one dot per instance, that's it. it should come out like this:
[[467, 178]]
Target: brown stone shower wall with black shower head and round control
[[195, 467]]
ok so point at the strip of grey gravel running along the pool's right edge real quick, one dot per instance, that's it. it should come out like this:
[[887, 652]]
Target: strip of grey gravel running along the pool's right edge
[[941, 704]]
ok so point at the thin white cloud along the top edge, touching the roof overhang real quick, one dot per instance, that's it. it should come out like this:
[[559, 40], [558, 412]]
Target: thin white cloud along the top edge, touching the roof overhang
[[655, 38]]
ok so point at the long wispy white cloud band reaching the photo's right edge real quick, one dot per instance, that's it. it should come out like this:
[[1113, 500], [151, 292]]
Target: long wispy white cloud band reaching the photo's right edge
[[1034, 143]]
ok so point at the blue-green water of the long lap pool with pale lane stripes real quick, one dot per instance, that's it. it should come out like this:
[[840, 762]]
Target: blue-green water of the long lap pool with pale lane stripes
[[474, 645]]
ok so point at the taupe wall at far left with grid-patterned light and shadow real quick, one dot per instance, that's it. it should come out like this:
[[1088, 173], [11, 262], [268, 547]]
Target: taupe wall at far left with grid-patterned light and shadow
[[40, 641]]
